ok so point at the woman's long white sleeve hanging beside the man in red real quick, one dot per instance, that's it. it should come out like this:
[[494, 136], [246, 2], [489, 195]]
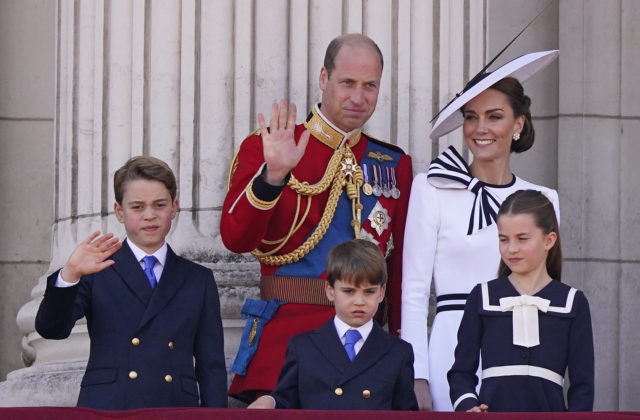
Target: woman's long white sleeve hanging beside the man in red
[[420, 242]]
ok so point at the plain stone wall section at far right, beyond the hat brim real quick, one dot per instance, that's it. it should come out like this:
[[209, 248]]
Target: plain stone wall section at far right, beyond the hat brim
[[598, 172]]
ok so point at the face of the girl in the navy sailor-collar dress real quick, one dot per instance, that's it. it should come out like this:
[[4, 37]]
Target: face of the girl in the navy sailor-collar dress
[[523, 245]]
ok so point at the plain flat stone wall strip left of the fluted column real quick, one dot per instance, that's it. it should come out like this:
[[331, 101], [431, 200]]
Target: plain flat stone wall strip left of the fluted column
[[26, 123]]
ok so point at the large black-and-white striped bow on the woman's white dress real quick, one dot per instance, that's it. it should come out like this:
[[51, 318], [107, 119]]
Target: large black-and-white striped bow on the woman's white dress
[[449, 170]]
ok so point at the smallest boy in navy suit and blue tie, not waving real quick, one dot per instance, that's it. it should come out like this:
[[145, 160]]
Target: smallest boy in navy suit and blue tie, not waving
[[350, 362]]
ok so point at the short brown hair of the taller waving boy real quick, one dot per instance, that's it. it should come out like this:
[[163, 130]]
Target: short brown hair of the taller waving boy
[[144, 167]]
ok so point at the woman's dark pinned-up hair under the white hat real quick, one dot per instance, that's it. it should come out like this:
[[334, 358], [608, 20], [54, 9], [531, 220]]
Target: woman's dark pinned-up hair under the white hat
[[520, 104]]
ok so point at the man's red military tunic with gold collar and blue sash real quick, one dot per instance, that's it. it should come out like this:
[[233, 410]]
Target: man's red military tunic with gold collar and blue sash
[[248, 218]]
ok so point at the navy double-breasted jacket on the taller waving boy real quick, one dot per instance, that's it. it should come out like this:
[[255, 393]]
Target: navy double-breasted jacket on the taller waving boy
[[144, 341]]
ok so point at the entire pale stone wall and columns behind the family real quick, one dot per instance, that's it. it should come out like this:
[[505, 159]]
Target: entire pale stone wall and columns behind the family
[[84, 85]]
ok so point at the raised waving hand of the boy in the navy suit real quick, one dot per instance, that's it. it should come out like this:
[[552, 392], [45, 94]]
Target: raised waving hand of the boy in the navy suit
[[90, 256]]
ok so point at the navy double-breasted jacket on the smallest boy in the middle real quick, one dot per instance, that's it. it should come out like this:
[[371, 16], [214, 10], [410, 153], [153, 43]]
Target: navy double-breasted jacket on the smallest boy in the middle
[[317, 373]]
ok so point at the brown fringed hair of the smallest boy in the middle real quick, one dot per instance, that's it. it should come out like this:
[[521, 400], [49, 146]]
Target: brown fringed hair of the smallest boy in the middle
[[356, 261]]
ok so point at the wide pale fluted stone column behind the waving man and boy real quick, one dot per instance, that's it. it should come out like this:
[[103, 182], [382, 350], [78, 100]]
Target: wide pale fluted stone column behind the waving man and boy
[[183, 81]]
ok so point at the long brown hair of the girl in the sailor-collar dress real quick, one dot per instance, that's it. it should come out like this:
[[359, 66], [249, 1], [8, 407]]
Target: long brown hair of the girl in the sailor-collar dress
[[544, 215]]
